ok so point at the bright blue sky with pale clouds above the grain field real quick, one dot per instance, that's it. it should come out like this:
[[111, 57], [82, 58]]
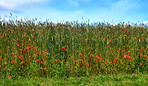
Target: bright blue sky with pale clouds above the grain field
[[72, 10]]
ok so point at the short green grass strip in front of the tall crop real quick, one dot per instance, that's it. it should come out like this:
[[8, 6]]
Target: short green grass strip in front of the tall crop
[[98, 80]]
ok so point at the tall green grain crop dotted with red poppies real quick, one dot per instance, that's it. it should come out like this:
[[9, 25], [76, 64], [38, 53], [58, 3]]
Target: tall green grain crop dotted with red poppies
[[29, 49]]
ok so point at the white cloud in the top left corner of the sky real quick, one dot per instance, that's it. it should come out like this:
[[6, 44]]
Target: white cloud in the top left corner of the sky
[[11, 4]]
